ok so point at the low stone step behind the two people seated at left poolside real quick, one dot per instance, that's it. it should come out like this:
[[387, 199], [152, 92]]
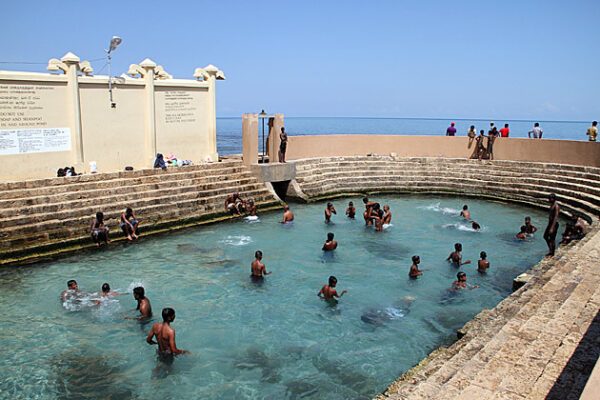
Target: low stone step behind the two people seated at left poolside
[[77, 228]]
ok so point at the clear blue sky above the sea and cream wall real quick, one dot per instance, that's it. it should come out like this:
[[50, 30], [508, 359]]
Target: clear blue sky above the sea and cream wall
[[447, 59]]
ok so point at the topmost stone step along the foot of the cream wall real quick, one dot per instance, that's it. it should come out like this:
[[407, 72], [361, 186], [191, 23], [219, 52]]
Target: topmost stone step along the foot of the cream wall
[[82, 184]]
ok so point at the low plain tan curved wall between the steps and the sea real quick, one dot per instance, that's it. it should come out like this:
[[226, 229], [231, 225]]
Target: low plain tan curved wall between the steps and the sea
[[552, 151]]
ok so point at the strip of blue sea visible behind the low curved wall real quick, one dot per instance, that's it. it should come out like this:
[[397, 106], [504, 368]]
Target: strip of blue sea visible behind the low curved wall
[[229, 129]]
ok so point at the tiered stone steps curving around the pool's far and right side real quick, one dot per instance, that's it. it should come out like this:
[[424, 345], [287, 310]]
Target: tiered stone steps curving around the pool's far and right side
[[529, 346]]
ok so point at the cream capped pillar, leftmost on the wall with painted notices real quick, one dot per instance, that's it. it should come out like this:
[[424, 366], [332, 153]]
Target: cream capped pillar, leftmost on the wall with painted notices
[[71, 61]]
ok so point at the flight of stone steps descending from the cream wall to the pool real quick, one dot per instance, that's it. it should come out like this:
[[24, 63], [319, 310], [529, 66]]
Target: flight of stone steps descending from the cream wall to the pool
[[42, 217]]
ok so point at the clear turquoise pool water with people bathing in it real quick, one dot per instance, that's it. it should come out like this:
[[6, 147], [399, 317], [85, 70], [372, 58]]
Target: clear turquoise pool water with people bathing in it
[[273, 341]]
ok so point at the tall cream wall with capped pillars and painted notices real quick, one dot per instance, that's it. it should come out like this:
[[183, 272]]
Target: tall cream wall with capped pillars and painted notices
[[49, 121]]
